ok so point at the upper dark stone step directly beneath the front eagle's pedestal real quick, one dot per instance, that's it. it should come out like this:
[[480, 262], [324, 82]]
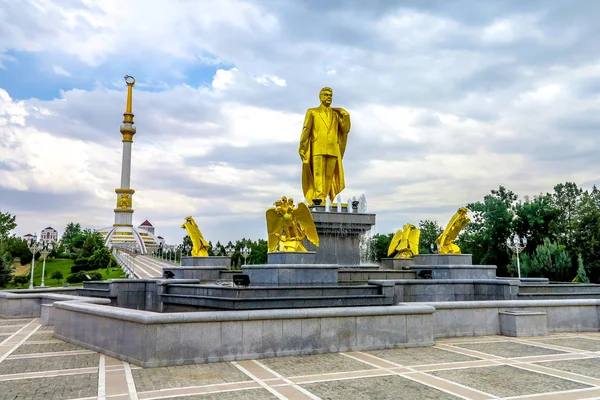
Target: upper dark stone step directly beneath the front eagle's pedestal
[[275, 291]]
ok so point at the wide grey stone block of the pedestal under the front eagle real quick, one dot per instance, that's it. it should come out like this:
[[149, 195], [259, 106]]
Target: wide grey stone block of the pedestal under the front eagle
[[291, 275]]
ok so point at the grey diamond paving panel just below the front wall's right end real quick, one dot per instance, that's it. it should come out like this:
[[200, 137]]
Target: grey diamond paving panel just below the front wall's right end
[[420, 356]]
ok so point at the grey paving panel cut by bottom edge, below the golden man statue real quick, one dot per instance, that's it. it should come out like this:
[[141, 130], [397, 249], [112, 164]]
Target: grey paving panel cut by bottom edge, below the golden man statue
[[379, 388]]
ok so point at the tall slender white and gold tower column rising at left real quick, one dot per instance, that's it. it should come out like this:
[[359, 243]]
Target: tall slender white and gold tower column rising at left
[[124, 210]]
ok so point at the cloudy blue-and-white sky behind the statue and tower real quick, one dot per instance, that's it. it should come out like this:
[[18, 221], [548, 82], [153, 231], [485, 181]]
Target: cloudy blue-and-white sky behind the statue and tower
[[448, 100]]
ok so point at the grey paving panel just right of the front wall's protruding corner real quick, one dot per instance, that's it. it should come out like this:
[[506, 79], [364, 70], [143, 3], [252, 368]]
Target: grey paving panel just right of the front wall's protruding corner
[[186, 375]]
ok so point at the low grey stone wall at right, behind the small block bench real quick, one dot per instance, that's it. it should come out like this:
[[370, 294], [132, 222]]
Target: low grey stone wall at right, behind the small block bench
[[479, 318]]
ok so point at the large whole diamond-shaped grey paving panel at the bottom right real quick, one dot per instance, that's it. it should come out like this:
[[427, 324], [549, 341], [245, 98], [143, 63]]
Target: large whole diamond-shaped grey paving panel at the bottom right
[[507, 381]]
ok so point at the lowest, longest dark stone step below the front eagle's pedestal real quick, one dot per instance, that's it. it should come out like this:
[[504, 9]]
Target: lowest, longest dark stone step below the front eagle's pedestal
[[275, 302]]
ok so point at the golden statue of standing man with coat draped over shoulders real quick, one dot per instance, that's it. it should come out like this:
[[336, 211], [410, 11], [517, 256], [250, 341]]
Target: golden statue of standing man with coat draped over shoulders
[[322, 147]]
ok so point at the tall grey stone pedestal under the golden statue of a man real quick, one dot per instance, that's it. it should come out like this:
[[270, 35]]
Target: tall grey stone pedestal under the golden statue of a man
[[339, 235]]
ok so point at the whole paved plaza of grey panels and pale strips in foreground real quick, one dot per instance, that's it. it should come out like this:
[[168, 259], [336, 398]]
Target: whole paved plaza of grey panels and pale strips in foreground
[[34, 365]]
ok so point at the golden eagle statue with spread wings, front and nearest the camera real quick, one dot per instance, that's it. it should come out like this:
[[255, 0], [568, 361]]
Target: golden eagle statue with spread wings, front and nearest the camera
[[287, 226]]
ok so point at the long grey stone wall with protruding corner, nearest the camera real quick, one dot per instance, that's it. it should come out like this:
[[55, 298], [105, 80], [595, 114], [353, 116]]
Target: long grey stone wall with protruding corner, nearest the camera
[[152, 340]]
